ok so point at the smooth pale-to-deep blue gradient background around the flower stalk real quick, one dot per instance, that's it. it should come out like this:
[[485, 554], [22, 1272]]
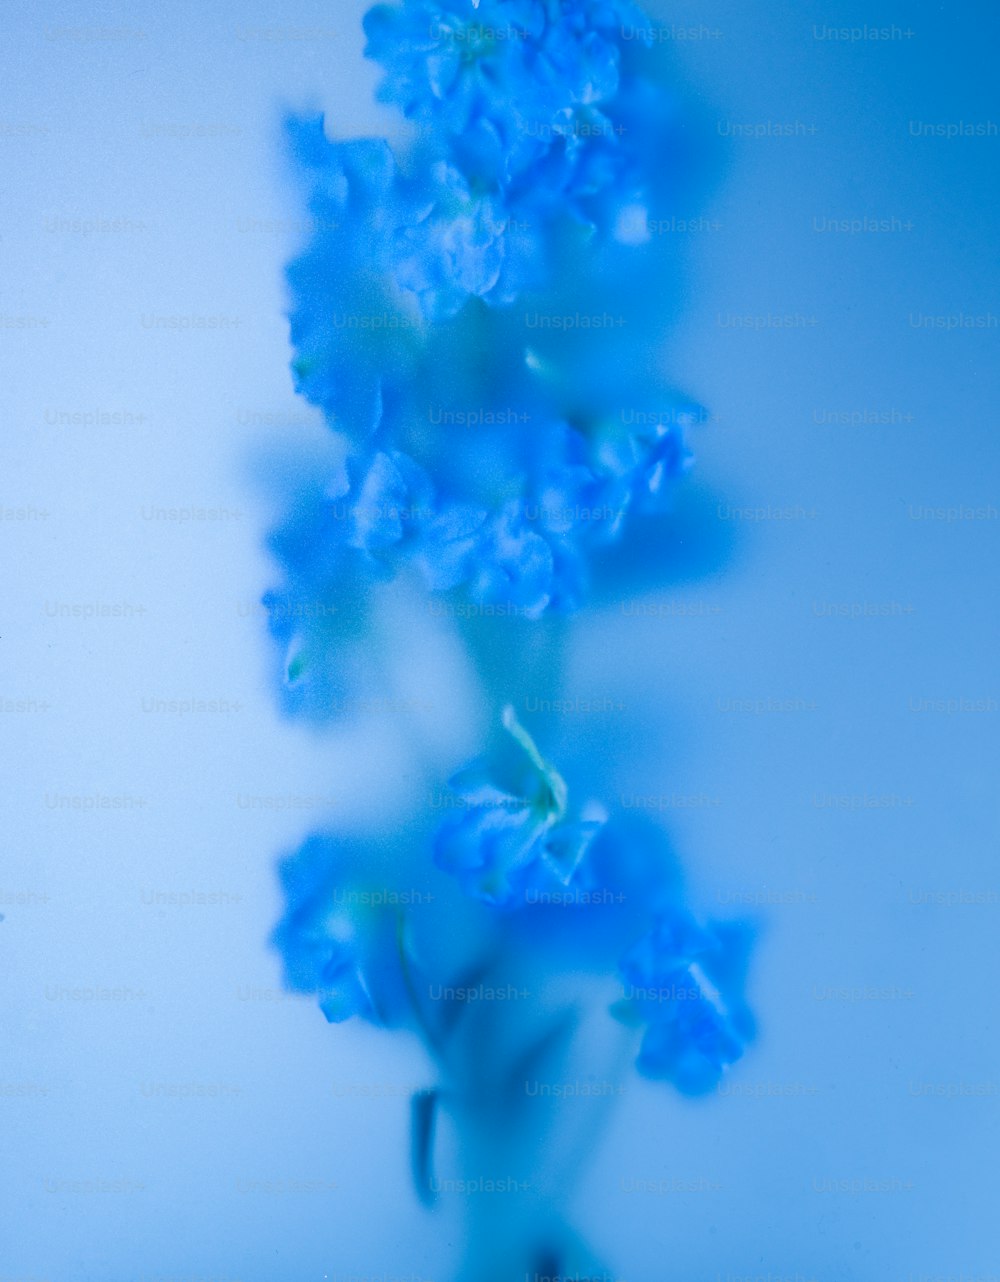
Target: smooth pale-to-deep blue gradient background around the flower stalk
[[290, 1171]]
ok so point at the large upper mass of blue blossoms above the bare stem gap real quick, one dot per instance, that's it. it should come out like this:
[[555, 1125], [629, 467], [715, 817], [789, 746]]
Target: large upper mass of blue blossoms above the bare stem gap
[[457, 313]]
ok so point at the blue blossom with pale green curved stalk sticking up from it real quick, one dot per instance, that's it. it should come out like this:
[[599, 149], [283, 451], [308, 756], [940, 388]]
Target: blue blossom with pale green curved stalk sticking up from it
[[515, 834]]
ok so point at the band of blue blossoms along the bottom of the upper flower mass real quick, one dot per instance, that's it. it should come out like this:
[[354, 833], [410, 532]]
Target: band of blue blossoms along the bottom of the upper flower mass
[[511, 521]]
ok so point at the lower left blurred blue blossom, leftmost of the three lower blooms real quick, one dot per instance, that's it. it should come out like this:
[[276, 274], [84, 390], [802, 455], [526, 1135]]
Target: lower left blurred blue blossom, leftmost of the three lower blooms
[[333, 943]]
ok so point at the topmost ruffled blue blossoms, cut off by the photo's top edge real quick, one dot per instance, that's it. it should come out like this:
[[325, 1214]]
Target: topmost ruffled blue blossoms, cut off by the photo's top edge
[[521, 135]]
